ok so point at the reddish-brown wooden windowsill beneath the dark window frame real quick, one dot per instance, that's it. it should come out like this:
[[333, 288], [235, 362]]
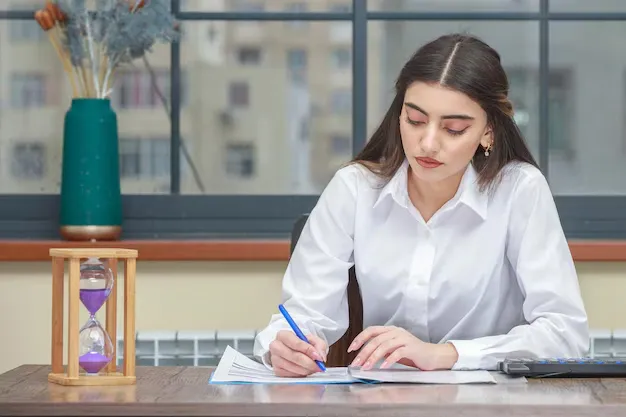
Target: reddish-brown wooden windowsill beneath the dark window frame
[[244, 250]]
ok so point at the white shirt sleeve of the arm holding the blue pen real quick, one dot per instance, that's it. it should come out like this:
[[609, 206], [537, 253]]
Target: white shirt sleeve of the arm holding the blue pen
[[314, 287]]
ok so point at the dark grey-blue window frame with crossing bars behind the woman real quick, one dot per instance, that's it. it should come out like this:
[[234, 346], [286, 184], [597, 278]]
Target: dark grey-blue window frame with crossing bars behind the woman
[[176, 216]]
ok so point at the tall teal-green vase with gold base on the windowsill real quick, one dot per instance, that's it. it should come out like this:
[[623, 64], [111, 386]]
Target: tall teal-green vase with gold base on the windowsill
[[91, 201]]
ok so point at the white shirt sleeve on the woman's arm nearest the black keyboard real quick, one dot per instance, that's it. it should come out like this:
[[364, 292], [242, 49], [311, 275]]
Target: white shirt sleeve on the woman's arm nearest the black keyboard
[[556, 321]]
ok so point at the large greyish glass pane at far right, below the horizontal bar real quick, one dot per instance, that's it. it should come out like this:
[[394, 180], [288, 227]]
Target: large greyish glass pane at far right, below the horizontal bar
[[587, 103]]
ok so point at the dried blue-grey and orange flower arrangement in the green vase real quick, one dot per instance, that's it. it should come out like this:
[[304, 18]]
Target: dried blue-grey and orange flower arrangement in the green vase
[[92, 43]]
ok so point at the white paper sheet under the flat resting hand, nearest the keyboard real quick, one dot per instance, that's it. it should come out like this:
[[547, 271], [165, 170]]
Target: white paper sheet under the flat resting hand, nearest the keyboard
[[402, 374]]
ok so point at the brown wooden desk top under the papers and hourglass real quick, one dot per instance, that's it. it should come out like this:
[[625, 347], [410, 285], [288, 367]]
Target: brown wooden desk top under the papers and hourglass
[[185, 391]]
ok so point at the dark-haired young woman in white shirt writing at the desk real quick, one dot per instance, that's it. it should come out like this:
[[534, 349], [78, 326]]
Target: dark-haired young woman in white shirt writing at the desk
[[451, 227]]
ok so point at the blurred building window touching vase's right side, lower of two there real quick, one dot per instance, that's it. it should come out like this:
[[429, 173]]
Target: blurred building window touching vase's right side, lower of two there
[[144, 158]]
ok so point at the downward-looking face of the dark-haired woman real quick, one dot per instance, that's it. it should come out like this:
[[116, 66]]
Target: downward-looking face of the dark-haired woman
[[441, 130]]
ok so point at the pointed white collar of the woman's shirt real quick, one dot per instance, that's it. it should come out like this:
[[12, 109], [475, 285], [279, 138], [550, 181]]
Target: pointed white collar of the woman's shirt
[[468, 193]]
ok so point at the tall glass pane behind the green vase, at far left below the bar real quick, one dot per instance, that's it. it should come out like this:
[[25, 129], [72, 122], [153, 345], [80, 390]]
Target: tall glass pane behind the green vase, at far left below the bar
[[35, 94]]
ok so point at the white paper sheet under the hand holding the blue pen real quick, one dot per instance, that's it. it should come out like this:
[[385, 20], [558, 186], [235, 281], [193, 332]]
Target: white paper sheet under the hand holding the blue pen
[[236, 368]]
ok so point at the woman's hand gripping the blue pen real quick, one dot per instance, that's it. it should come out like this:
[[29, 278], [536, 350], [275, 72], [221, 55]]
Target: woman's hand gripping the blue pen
[[292, 357]]
